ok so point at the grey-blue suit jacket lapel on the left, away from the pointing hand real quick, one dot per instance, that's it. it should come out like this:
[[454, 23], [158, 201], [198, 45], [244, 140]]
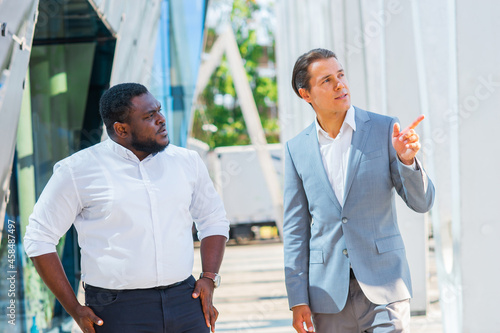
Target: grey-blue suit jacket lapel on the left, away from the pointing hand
[[317, 165]]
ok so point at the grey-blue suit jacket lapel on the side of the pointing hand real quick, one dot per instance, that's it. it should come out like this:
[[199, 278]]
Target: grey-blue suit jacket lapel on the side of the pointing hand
[[359, 138]]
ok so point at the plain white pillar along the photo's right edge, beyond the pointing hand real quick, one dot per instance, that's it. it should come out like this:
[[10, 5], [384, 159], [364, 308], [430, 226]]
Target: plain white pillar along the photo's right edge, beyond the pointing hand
[[478, 116]]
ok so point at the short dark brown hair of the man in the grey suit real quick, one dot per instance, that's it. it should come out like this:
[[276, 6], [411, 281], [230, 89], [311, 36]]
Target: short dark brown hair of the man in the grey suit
[[300, 74]]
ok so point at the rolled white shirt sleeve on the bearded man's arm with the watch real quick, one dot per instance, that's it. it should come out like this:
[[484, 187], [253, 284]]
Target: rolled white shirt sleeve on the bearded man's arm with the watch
[[206, 207]]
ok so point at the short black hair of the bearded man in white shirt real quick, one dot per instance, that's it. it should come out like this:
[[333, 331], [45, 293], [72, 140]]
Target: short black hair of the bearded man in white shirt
[[116, 103]]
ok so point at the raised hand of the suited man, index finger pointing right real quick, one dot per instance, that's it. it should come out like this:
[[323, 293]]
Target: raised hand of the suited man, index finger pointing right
[[406, 142]]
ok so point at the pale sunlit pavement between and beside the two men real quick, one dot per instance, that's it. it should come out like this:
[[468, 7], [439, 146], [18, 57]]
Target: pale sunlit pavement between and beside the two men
[[252, 296]]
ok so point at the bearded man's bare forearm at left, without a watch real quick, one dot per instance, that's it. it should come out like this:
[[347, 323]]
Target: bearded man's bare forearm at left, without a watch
[[50, 269]]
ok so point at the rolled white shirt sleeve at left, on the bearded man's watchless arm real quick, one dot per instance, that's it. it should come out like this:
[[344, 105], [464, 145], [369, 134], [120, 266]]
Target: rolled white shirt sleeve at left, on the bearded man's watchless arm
[[53, 214]]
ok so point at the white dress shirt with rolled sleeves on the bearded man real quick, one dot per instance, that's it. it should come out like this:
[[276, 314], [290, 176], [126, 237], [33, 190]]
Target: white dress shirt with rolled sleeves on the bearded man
[[133, 218]]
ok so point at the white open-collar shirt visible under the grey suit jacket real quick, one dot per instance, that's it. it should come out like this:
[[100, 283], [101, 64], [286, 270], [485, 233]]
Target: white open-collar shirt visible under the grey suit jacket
[[335, 153]]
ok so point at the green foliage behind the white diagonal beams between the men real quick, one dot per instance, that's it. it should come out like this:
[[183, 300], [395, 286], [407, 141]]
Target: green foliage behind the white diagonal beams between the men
[[227, 117]]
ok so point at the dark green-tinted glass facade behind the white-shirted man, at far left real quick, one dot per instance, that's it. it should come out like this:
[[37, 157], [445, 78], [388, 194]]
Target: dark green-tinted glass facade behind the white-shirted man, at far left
[[69, 69]]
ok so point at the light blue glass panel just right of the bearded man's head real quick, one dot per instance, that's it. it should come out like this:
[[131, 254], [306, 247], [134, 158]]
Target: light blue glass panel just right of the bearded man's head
[[177, 60]]
